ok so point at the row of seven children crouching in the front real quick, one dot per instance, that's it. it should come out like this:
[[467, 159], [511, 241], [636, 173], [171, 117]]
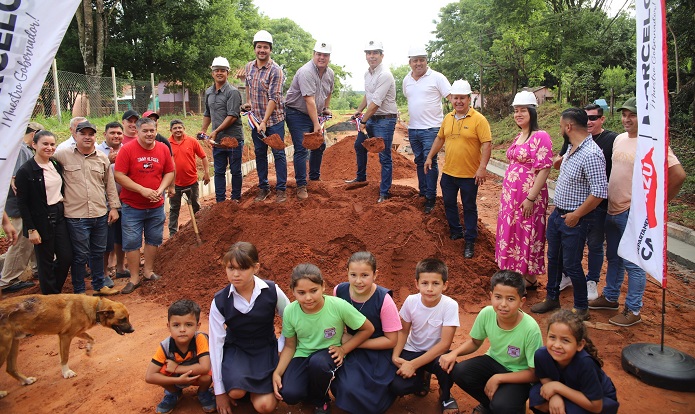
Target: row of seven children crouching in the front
[[358, 347]]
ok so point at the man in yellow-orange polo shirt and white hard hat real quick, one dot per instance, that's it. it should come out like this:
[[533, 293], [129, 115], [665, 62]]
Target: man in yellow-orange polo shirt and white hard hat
[[468, 137]]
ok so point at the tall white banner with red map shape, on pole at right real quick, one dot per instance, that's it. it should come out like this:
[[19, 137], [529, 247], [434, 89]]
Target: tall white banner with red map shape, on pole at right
[[644, 240]]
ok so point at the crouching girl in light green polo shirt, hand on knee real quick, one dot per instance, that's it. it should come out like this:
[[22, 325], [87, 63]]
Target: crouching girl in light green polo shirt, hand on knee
[[313, 327]]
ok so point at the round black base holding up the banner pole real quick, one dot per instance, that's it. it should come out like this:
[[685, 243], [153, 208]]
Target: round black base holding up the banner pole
[[669, 368]]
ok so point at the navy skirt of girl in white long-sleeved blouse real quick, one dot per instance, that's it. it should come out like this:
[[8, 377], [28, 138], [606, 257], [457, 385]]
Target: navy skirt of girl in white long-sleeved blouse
[[249, 368]]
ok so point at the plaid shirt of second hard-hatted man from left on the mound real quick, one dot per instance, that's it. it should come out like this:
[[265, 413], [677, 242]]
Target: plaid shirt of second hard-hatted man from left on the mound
[[264, 84]]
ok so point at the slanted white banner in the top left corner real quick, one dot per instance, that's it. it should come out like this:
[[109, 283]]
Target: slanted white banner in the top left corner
[[30, 33]]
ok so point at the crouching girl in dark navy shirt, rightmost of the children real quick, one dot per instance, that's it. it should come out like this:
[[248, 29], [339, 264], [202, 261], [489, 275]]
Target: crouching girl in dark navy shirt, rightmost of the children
[[569, 369]]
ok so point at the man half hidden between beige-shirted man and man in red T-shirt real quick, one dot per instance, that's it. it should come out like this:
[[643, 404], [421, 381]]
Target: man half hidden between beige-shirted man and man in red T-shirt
[[113, 142]]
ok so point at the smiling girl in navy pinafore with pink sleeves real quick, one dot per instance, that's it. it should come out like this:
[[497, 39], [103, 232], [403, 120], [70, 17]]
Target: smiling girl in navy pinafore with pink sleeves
[[362, 384]]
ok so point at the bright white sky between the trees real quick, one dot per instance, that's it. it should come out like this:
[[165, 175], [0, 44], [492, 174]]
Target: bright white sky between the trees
[[349, 26]]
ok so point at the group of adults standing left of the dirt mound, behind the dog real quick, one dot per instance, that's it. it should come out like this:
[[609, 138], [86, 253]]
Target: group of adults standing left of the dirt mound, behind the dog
[[82, 205]]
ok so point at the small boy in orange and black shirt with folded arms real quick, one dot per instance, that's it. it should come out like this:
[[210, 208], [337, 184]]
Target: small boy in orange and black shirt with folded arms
[[182, 359]]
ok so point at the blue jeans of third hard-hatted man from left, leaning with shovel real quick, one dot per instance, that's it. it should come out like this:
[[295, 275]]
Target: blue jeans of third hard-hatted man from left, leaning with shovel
[[298, 123]]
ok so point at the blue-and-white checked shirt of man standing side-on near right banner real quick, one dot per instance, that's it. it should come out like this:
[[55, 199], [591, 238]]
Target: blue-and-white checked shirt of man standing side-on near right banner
[[583, 173]]
